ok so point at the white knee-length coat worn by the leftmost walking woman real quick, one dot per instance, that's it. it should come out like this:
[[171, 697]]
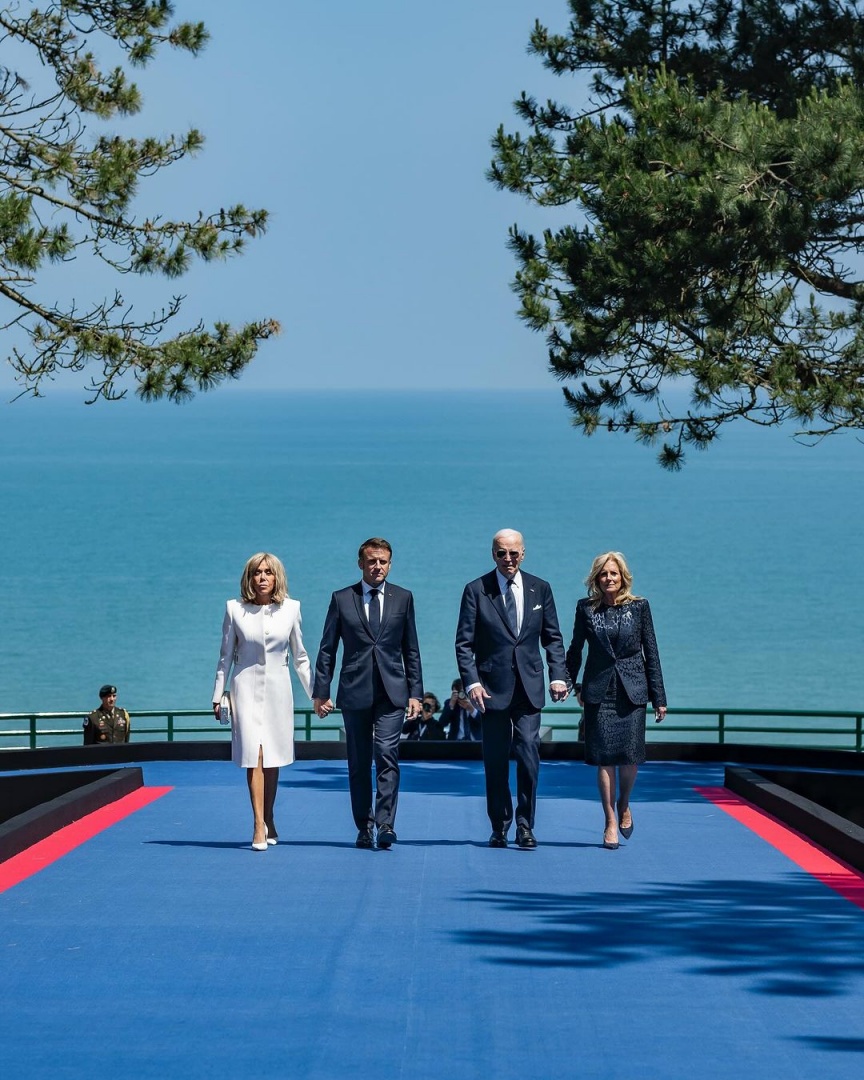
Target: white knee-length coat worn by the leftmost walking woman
[[256, 642]]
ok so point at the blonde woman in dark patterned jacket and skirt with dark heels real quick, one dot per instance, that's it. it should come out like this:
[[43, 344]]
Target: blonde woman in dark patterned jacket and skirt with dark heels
[[623, 673]]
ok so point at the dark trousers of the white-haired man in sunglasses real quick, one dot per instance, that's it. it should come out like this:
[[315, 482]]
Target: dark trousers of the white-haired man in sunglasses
[[517, 727]]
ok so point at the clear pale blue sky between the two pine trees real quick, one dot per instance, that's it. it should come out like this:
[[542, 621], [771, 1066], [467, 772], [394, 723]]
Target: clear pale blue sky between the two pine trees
[[364, 128]]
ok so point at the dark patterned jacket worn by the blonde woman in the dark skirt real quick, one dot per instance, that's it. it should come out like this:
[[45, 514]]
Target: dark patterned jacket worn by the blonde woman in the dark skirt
[[636, 658]]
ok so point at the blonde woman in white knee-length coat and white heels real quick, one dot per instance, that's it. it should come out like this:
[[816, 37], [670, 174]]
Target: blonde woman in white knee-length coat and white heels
[[259, 632]]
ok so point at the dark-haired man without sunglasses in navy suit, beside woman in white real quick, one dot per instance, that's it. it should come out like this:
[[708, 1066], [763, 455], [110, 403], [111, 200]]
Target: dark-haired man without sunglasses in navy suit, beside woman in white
[[381, 679]]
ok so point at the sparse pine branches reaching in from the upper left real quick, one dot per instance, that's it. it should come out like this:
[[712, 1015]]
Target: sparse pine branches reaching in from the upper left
[[66, 192]]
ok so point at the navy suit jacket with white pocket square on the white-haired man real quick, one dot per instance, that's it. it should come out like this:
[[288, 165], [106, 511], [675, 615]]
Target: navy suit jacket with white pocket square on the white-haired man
[[489, 653]]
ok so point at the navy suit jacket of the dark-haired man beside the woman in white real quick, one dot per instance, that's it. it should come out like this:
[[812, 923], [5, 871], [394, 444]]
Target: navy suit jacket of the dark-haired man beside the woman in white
[[396, 651]]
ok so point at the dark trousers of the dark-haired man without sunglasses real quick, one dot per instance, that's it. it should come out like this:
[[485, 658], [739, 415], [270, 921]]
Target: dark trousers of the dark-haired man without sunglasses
[[373, 735]]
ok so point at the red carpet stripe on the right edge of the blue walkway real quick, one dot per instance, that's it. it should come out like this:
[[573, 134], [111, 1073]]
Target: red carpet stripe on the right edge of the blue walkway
[[813, 859]]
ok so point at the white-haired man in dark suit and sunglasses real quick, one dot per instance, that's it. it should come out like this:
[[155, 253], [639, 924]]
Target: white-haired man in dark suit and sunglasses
[[505, 619]]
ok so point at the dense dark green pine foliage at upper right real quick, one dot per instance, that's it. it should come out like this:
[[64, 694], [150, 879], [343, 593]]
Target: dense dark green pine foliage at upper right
[[717, 174]]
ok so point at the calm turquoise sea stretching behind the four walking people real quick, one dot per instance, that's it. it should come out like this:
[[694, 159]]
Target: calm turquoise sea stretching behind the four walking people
[[127, 528]]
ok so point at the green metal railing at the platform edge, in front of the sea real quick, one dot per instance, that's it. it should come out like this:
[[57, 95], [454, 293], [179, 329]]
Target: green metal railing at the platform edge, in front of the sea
[[806, 728]]
